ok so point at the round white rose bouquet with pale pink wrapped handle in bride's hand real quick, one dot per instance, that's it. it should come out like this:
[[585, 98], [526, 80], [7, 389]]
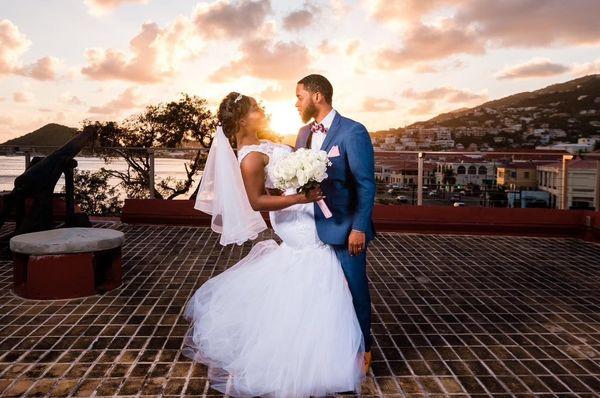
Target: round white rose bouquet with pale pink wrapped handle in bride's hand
[[302, 170]]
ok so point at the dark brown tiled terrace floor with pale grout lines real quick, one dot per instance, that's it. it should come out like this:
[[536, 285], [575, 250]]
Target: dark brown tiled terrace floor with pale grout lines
[[453, 316]]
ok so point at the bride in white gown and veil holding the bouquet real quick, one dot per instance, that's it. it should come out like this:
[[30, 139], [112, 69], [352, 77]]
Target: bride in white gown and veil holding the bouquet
[[279, 323]]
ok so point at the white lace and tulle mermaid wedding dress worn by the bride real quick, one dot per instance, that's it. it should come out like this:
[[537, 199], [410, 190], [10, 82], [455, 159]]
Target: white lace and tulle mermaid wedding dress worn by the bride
[[279, 323]]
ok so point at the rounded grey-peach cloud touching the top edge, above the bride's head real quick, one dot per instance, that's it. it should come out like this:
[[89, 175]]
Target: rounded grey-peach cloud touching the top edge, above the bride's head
[[221, 19]]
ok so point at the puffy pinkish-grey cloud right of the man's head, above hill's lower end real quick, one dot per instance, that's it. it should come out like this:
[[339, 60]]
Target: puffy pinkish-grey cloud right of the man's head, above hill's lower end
[[429, 43]]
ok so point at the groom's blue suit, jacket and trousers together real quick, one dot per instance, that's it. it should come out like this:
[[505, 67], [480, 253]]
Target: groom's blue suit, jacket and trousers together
[[350, 195]]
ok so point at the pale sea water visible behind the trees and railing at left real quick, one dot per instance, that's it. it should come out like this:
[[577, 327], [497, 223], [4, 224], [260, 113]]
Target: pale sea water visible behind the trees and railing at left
[[13, 166]]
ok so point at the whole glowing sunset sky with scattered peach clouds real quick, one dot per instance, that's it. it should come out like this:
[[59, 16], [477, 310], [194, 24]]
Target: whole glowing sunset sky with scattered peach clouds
[[391, 62]]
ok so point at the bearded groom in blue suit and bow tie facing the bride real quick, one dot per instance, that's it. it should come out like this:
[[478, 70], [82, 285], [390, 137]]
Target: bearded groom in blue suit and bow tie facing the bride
[[349, 188]]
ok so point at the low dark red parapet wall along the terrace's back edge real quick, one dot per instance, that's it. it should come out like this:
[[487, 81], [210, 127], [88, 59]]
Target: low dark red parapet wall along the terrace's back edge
[[406, 218]]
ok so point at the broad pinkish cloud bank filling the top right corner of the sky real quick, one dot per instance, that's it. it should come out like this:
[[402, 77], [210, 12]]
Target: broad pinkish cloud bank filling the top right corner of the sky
[[472, 26]]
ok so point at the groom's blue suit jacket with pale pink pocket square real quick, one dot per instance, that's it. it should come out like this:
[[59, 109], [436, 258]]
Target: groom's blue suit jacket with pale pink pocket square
[[350, 185]]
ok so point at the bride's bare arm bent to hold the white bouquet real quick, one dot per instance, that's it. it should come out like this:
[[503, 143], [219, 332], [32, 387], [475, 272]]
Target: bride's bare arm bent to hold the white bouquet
[[253, 174]]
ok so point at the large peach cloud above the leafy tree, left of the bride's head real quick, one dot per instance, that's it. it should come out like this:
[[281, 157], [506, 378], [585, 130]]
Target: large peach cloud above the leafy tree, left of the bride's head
[[156, 54]]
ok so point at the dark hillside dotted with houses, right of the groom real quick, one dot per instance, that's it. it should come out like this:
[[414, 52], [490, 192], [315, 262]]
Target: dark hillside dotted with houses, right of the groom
[[561, 112]]
